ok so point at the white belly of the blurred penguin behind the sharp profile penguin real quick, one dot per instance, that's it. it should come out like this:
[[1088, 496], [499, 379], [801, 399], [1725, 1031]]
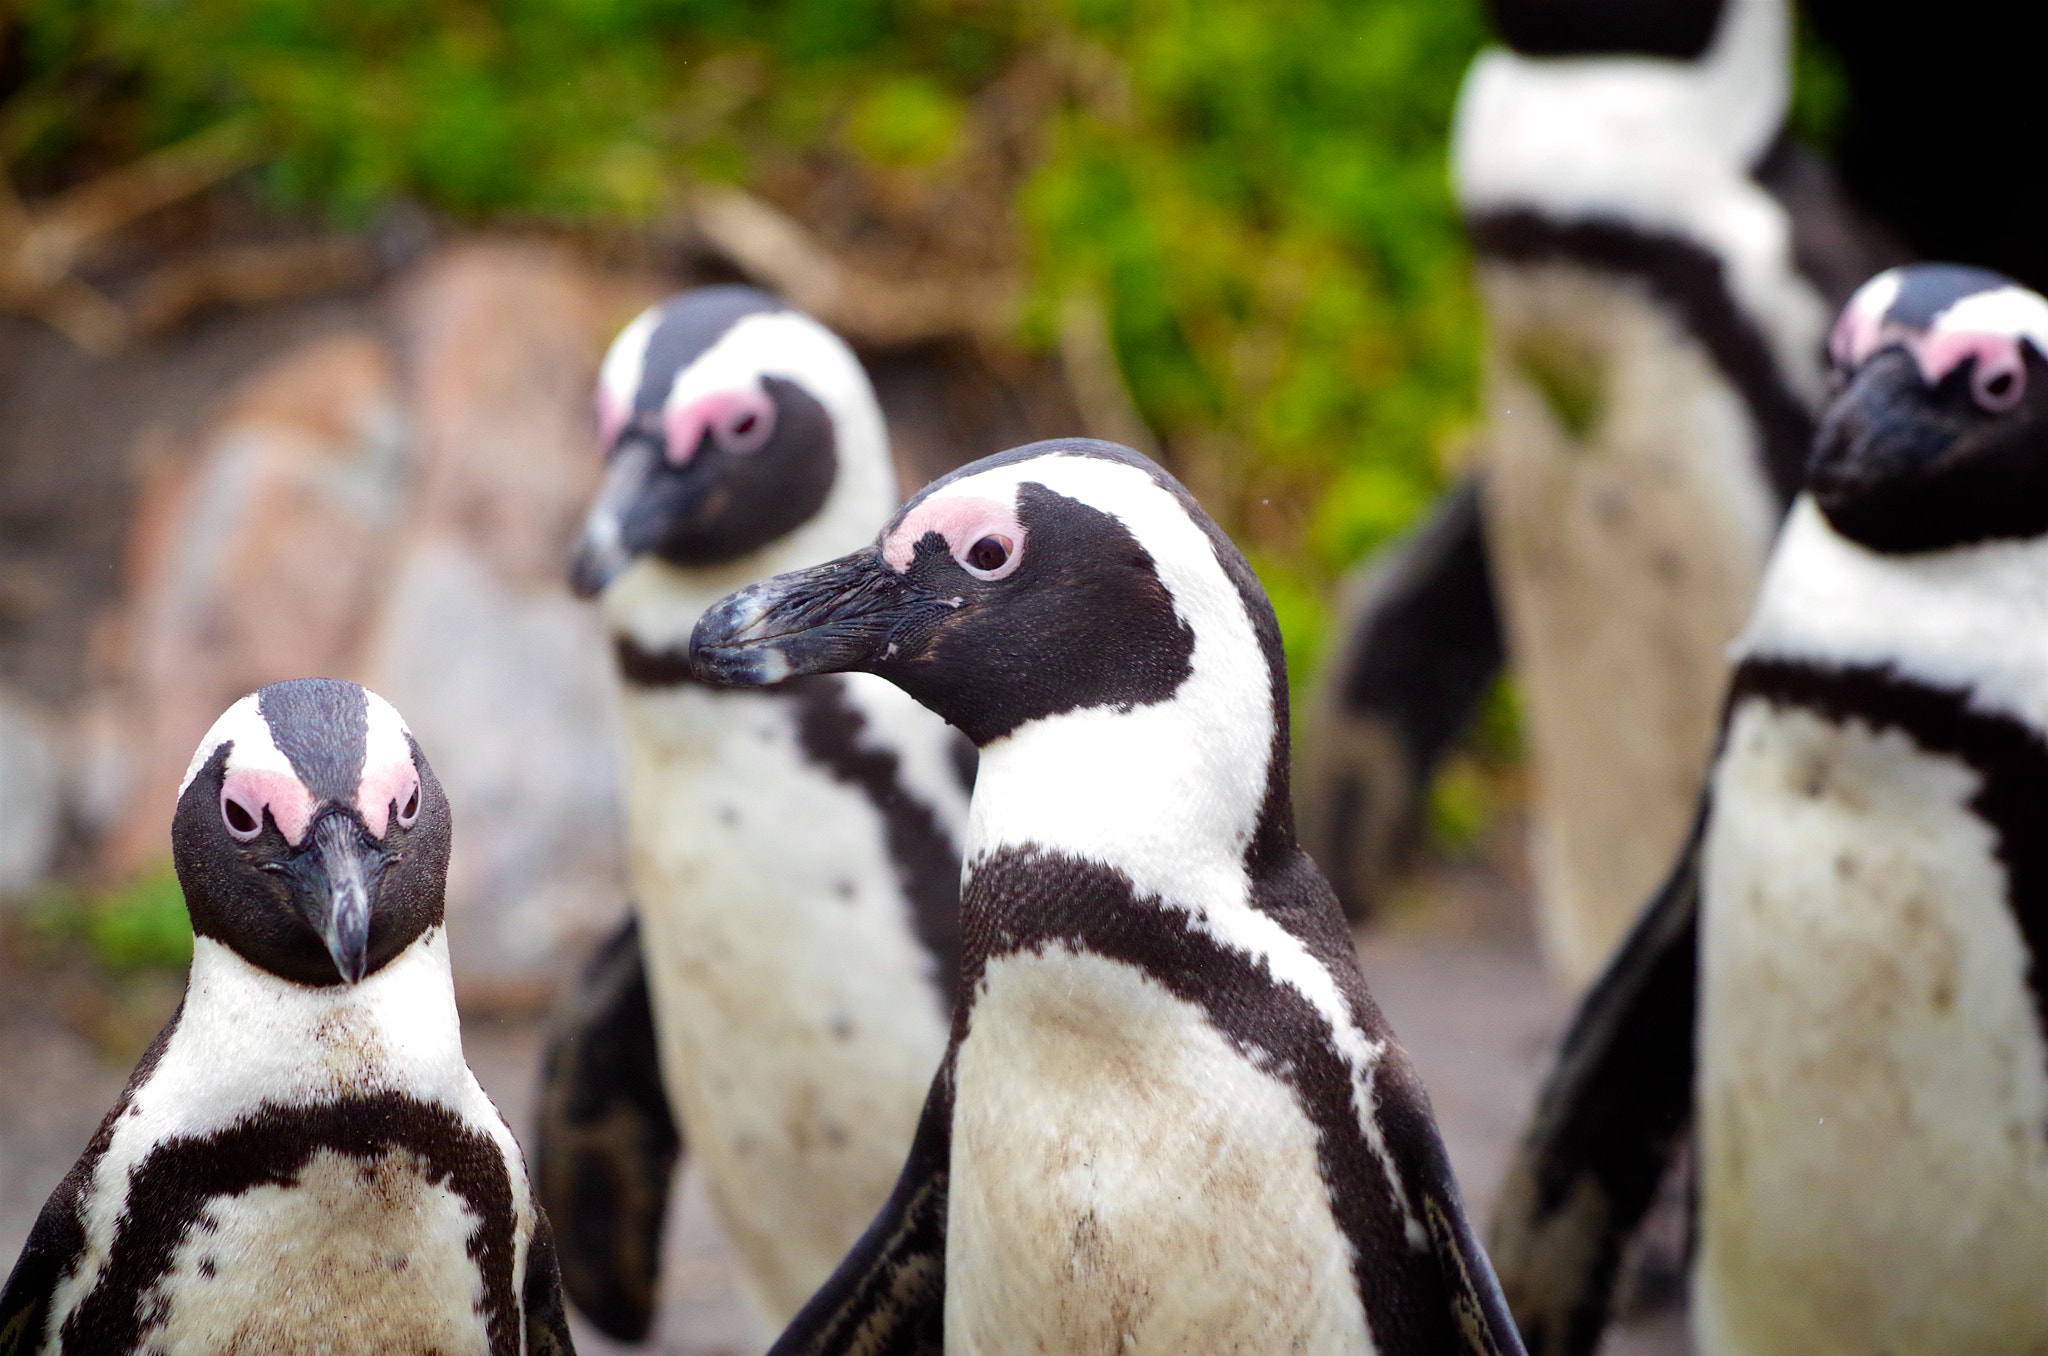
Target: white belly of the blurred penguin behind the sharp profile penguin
[[796, 1011]]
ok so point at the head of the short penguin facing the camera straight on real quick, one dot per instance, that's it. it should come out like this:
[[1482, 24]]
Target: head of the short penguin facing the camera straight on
[[310, 835]]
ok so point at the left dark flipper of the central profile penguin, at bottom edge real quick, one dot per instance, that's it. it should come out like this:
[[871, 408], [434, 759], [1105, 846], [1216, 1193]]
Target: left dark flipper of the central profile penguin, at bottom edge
[[890, 1296]]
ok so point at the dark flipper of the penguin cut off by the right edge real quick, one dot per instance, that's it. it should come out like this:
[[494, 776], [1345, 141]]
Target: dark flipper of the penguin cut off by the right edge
[[1609, 1119]]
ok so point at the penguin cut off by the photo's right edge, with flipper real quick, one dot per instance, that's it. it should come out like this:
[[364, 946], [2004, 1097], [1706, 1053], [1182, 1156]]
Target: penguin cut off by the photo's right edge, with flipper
[[1844, 984]]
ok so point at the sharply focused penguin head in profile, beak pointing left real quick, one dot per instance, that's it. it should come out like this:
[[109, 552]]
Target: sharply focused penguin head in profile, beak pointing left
[[1052, 579]]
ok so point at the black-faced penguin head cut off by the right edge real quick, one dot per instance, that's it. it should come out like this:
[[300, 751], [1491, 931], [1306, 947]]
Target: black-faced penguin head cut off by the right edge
[[1938, 433]]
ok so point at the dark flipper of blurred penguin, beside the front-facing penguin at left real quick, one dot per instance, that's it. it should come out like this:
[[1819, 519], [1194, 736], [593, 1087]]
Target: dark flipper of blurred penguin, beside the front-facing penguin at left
[[607, 1144]]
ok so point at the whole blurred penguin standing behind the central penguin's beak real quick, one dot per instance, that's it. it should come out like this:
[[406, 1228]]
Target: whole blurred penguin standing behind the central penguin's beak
[[794, 853]]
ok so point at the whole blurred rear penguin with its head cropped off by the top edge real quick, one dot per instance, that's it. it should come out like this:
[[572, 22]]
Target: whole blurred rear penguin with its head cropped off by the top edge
[[1658, 263]]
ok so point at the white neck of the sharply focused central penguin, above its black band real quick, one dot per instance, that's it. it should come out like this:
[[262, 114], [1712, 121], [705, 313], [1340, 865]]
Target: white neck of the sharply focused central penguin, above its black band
[[1166, 794]]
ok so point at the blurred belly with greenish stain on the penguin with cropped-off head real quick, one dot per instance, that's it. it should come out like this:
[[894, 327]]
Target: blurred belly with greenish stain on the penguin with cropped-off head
[[1629, 523]]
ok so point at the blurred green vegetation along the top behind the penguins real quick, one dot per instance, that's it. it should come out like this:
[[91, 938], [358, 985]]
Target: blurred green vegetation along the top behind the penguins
[[1254, 194]]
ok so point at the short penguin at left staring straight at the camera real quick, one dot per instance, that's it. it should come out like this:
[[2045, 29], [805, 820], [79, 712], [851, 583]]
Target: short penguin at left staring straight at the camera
[[302, 1162]]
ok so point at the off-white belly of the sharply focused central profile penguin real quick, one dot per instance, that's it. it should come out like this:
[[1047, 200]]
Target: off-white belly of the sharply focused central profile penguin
[[1125, 1181]]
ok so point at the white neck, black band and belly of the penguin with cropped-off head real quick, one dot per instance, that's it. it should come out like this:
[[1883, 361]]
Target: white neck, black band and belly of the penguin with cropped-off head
[[1654, 359]]
